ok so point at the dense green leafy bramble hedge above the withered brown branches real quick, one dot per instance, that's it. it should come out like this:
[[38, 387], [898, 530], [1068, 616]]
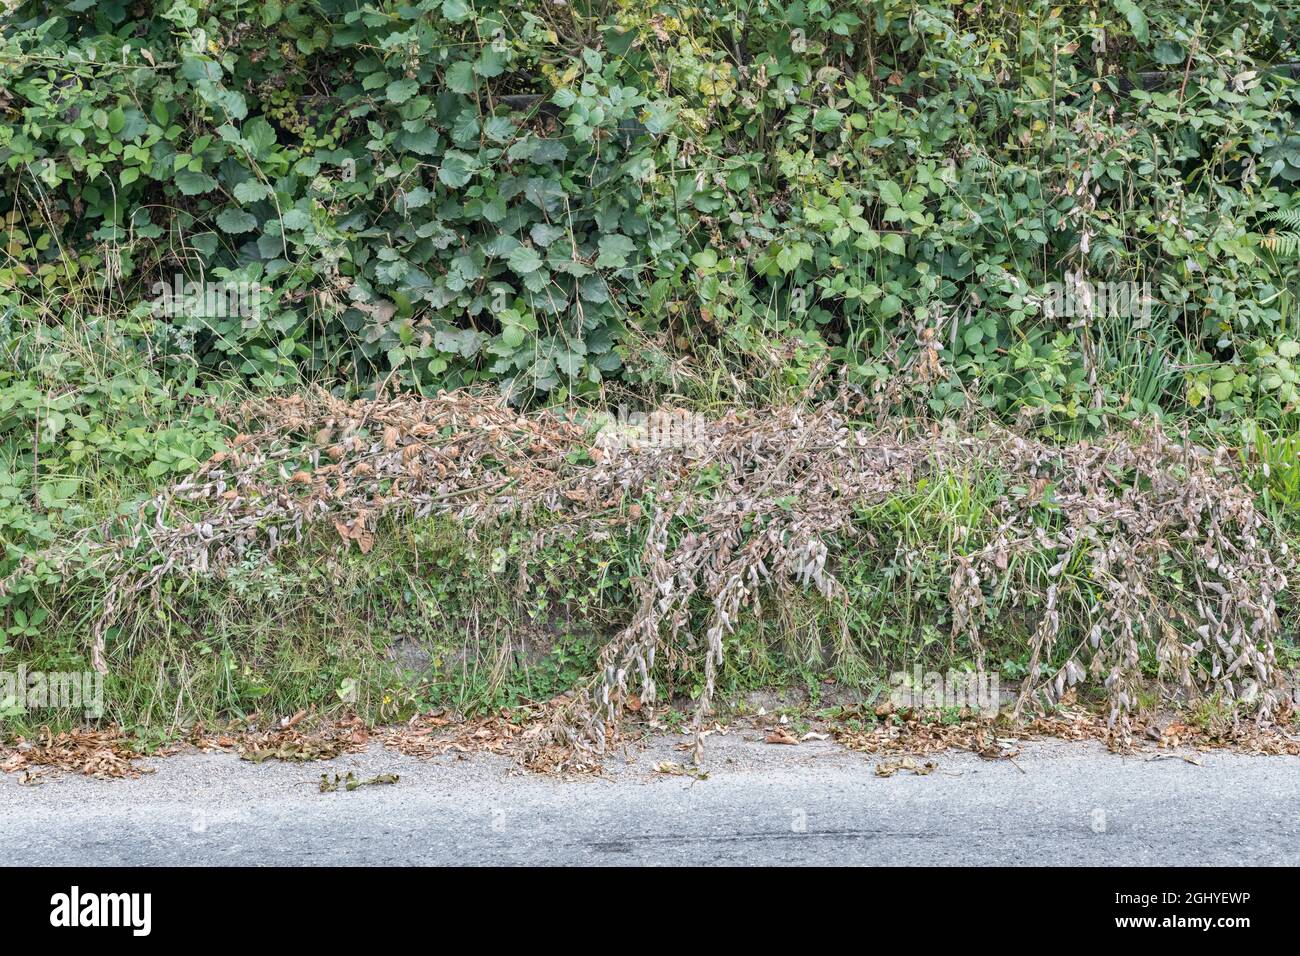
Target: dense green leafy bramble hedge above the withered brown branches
[[551, 194]]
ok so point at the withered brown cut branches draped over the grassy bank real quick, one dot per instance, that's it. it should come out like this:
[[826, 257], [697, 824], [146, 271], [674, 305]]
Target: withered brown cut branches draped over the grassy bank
[[1154, 543]]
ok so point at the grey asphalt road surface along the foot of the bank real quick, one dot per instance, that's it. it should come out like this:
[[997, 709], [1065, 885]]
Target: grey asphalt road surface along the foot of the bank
[[1059, 804]]
